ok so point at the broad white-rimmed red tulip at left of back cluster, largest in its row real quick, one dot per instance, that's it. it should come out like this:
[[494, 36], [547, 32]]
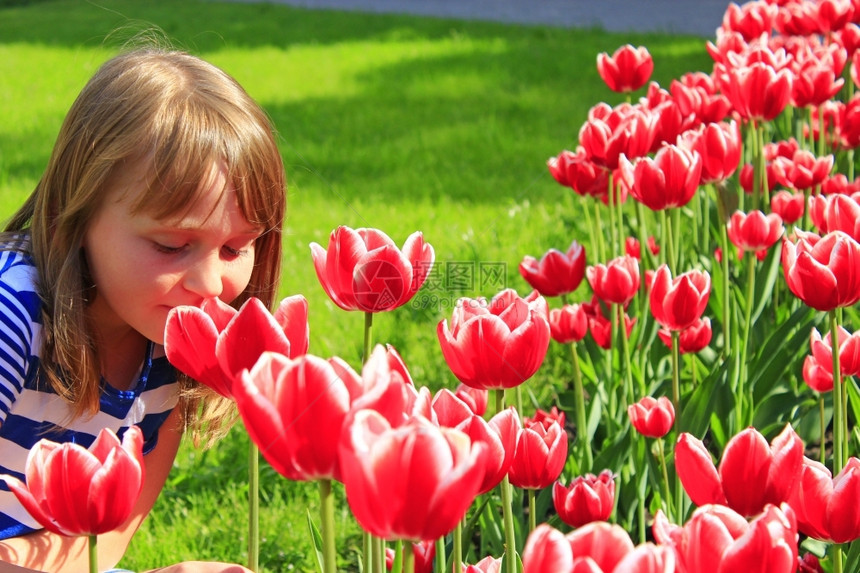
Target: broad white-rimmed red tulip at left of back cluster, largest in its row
[[668, 180]]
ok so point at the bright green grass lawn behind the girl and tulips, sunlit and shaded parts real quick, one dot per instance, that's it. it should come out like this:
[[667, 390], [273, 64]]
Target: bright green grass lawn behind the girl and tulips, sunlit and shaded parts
[[393, 122]]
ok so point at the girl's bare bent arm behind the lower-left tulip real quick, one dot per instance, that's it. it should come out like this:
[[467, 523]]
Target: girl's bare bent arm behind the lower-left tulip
[[47, 551]]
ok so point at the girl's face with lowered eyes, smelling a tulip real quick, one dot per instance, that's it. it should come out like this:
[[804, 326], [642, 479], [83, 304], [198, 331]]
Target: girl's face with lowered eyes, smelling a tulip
[[142, 267]]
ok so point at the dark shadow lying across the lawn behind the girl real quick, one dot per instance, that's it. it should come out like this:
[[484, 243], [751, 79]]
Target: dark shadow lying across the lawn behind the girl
[[487, 143]]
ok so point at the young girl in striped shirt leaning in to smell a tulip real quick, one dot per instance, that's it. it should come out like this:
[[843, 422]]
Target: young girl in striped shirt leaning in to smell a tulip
[[165, 188]]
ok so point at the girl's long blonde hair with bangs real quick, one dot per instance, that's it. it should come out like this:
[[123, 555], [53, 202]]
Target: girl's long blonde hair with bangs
[[181, 115]]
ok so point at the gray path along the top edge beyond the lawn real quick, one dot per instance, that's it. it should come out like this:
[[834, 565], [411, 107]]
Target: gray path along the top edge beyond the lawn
[[696, 17]]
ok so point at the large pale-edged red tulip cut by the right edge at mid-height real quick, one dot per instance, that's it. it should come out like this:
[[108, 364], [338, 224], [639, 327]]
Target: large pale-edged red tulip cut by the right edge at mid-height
[[823, 272]]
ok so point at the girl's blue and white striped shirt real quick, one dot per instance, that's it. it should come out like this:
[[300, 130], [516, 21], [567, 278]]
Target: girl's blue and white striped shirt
[[31, 410]]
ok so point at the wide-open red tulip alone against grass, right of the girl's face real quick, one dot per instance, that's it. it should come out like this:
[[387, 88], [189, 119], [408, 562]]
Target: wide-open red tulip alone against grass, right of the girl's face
[[363, 269]]
